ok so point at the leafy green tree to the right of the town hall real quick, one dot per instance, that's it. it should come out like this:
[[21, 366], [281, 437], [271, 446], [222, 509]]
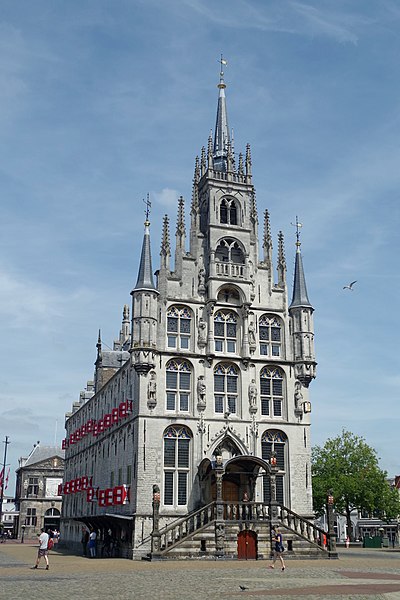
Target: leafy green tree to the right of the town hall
[[348, 467]]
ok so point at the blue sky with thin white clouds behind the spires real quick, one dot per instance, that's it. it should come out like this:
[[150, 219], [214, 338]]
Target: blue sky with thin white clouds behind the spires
[[103, 102]]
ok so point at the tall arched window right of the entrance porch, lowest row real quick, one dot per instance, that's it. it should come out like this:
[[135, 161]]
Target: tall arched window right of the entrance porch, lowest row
[[274, 440]]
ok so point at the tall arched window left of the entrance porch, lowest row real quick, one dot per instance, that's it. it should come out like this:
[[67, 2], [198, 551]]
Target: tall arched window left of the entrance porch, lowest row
[[176, 465]]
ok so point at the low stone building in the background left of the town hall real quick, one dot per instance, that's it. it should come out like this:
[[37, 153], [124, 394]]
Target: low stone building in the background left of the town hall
[[37, 497]]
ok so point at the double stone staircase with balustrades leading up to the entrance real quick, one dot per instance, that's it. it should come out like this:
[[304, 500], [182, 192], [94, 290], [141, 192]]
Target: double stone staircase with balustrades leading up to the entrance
[[194, 536]]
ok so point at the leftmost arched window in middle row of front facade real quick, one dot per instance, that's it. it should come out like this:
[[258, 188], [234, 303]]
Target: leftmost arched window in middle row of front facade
[[178, 385]]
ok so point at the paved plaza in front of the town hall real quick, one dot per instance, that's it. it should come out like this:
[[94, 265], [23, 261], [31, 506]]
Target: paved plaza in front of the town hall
[[359, 573]]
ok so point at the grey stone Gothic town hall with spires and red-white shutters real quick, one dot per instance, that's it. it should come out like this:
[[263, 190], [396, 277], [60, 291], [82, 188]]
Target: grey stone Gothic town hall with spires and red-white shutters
[[195, 434]]
